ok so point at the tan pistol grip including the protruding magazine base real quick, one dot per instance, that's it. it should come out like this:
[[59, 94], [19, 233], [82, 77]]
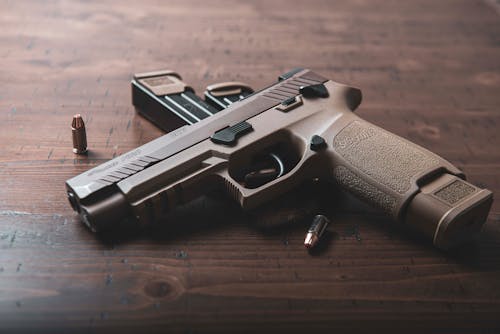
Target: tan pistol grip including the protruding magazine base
[[414, 185]]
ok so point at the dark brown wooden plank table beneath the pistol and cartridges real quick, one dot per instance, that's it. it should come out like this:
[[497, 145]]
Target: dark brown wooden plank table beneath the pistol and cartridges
[[429, 71]]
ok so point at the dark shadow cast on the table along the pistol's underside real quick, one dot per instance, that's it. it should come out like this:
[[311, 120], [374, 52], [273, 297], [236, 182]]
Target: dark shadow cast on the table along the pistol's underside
[[213, 213]]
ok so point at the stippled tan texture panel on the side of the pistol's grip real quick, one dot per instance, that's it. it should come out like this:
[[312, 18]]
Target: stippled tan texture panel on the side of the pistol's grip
[[382, 156]]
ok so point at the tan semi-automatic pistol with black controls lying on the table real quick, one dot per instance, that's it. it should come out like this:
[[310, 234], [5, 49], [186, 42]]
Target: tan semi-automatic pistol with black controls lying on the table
[[266, 144]]
